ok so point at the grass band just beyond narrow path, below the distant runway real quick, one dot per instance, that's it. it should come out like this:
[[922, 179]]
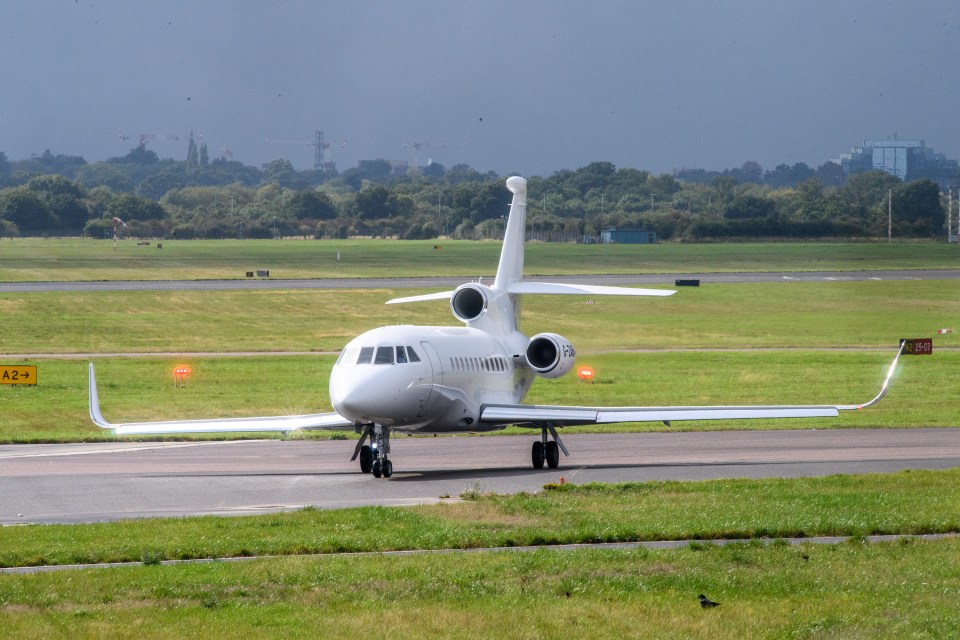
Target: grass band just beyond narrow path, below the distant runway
[[771, 315]]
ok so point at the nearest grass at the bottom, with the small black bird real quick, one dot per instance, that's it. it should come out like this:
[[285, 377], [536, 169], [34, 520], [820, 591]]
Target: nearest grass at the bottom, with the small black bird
[[904, 590]]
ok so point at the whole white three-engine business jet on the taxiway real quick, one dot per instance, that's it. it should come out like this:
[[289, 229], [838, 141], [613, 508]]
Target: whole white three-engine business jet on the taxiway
[[426, 380]]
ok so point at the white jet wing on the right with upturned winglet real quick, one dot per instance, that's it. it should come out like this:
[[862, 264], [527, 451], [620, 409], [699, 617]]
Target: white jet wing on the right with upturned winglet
[[539, 415]]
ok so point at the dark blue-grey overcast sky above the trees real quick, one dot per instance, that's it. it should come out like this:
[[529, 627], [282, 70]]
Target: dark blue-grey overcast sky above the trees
[[527, 86]]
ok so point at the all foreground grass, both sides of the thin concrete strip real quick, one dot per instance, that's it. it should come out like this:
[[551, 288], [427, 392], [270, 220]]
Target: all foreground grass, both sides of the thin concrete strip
[[854, 590]]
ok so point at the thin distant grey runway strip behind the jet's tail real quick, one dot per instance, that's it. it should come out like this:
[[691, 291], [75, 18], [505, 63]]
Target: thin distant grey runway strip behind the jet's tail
[[451, 282]]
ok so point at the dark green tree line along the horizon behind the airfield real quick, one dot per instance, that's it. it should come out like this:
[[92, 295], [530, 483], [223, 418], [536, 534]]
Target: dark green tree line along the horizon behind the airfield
[[56, 195]]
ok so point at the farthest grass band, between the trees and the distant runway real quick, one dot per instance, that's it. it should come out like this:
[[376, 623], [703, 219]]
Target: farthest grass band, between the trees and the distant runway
[[31, 260]]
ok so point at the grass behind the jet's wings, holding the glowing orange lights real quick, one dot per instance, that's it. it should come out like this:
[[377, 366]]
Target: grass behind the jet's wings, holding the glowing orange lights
[[135, 389]]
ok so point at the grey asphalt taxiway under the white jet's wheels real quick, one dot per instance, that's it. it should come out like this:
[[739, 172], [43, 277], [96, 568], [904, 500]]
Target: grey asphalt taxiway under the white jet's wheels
[[73, 483]]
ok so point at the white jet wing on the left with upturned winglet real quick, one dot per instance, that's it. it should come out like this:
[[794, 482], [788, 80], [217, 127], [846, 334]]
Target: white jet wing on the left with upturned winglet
[[324, 421]]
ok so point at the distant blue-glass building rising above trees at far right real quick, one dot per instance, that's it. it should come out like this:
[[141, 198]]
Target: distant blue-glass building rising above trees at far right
[[906, 159]]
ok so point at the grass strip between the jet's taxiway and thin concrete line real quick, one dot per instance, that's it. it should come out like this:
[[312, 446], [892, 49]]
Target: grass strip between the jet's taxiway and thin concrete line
[[915, 502]]
